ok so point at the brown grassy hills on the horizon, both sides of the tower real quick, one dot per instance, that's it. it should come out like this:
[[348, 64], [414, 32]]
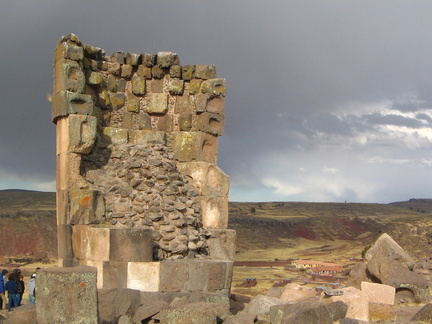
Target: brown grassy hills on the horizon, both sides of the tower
[[28, 223]]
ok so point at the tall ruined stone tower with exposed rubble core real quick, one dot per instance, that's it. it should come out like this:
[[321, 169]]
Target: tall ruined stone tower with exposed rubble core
[[139, 193]]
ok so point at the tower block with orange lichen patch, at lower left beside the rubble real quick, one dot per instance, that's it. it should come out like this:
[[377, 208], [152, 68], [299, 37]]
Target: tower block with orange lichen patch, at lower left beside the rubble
[[86, 207]]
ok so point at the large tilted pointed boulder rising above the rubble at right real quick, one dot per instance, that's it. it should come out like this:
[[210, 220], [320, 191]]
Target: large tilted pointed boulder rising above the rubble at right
[[384, 255]]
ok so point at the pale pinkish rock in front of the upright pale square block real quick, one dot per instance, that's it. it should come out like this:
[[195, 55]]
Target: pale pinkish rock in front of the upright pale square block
[[357, 301]]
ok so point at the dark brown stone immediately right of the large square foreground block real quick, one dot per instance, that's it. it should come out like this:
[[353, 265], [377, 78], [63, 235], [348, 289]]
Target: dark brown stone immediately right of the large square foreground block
[[113, 303]]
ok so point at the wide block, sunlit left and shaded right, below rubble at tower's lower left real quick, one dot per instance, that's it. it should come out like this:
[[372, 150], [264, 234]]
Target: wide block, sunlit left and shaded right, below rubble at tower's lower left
[[99, 243]]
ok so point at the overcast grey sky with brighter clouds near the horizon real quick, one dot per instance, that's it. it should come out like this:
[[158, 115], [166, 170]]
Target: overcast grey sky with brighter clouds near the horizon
[[326, 100]]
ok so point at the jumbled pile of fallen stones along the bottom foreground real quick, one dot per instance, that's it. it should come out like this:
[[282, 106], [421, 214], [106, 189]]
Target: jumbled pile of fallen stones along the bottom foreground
[[388, 278]]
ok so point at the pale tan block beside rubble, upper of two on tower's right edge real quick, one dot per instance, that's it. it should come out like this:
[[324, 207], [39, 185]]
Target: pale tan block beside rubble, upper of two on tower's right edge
[[207, 178]]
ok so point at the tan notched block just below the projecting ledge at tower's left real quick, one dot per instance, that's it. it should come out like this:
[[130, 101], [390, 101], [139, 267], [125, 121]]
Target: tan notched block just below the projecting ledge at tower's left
[[82, 133]]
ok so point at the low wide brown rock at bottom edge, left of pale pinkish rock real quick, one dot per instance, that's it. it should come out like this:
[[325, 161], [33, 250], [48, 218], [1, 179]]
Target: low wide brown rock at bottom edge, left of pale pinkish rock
[[301, 312]]
